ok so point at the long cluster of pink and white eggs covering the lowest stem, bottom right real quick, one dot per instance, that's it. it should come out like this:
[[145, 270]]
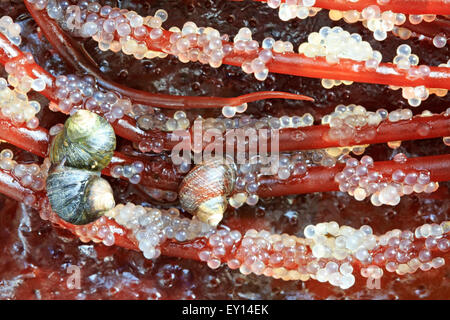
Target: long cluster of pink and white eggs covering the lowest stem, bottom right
[[328, 252]]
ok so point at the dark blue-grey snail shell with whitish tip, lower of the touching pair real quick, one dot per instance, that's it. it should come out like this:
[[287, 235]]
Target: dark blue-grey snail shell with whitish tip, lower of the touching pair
[[78, 196]]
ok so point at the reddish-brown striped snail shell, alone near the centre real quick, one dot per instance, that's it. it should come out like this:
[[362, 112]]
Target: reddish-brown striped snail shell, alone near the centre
[[204, 190]]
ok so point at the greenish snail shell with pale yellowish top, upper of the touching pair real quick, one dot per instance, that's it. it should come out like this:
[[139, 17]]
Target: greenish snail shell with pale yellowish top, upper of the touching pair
[[86, 142]]
